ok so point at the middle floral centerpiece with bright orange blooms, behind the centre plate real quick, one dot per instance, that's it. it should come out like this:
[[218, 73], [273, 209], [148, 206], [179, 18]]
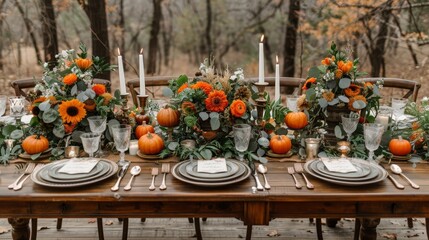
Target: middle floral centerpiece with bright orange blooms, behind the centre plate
[[210, 104]]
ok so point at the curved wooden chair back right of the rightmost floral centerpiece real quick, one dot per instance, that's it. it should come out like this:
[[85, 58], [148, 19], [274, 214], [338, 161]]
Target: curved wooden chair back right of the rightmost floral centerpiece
[[407, 88]]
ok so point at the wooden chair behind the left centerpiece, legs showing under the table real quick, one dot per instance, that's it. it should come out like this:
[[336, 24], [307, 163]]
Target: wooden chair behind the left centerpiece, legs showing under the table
[[22, 87]]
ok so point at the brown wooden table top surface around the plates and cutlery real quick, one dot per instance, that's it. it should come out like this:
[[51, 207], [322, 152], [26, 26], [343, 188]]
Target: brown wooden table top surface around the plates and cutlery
[[283, 188]]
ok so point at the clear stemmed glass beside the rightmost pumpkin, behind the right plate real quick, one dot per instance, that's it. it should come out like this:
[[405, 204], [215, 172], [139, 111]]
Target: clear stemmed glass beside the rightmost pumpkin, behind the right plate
[[373, 133]]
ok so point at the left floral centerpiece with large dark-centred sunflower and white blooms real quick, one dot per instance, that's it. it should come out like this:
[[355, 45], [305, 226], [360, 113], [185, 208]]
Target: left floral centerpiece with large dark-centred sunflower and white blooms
[[67, 95]]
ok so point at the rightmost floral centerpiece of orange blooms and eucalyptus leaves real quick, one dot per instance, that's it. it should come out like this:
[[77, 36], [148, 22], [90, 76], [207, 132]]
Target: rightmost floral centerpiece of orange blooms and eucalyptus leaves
[[333, 88]]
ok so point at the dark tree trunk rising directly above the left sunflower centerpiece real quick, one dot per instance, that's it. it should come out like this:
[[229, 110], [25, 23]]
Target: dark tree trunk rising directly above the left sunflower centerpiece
[[49, 29]]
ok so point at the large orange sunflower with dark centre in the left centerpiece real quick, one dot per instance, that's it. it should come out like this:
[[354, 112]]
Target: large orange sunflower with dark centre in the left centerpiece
[[72, 111]]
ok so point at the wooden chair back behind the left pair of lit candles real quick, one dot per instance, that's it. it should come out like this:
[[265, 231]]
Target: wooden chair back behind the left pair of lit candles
[[153, 85]]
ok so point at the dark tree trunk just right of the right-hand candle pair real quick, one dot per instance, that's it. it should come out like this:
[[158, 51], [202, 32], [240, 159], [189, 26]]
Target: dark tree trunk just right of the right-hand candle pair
[[289, 49]]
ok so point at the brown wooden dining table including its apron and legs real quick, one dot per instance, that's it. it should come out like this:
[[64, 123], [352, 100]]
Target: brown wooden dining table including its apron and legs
[[283, 200]]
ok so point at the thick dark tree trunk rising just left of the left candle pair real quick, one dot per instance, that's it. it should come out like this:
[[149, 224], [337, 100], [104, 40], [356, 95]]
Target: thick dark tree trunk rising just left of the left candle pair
[[96, 11]]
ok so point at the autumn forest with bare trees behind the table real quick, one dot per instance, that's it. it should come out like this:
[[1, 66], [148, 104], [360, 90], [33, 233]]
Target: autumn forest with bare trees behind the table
[[390, 37]]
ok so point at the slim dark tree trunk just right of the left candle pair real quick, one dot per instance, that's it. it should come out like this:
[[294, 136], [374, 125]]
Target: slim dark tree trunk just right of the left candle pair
[[153, 41]]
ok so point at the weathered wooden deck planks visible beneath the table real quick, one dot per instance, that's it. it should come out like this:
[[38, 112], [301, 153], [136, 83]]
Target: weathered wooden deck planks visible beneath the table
[[214, 228]]
